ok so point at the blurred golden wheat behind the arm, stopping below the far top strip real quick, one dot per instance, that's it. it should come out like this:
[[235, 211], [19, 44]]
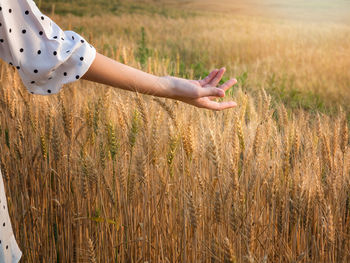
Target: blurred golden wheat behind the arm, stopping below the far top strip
[[302, 64]]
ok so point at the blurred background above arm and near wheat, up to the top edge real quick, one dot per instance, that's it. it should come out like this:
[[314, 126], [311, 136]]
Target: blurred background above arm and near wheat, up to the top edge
[[298, 50]]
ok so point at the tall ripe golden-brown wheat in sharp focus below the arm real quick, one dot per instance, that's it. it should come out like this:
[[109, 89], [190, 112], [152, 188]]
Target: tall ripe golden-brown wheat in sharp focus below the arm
[[100, 177]]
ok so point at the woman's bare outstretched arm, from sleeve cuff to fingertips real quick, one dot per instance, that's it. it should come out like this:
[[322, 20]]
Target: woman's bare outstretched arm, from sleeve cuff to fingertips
[[200, 93]]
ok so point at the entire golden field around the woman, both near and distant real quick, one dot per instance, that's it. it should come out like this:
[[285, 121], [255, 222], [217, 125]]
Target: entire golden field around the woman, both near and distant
[[98, 174]]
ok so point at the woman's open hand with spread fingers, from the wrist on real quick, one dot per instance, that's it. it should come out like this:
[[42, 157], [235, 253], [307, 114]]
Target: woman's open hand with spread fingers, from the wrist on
[[201, 93]]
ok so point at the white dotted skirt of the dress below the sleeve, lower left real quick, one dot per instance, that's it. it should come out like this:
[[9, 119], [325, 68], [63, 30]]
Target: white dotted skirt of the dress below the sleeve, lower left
[[9, 250]]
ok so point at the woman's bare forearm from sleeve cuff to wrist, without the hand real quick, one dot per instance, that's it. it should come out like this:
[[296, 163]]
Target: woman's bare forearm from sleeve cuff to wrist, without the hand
[[110, 72]]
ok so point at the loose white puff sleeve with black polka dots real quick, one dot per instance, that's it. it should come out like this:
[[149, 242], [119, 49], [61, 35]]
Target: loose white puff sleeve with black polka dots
[[45, 56]]
